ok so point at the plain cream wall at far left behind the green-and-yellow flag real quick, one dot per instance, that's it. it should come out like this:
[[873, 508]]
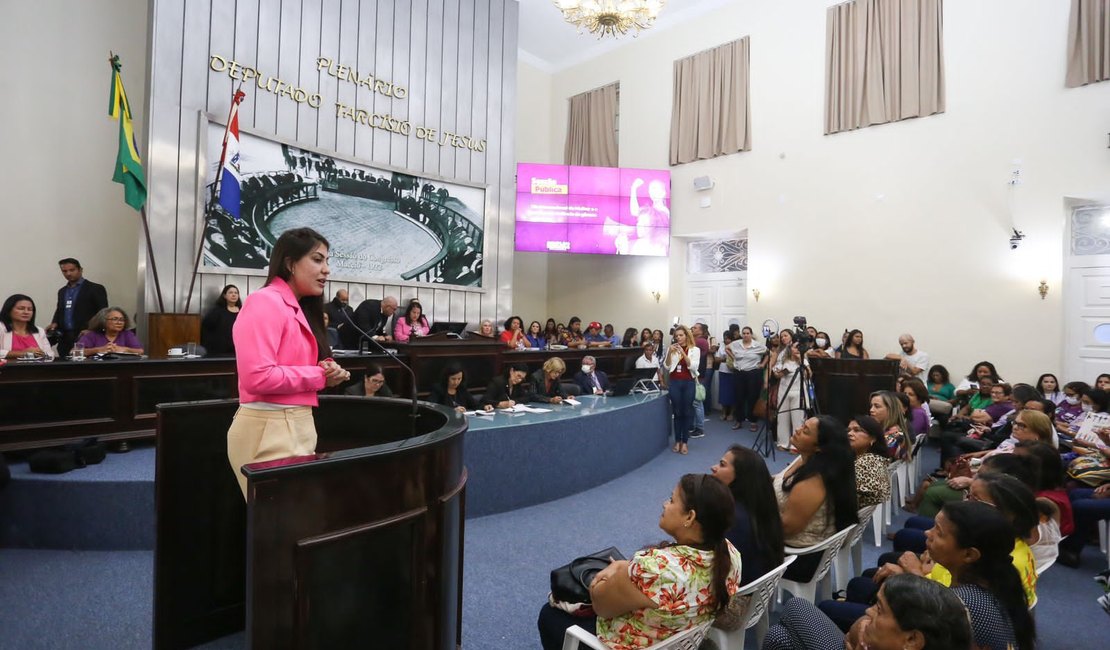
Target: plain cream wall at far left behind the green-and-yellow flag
[[56, 176]]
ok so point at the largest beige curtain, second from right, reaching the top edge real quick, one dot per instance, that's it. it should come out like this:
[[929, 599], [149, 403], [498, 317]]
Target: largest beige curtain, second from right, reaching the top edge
[[885, 63]]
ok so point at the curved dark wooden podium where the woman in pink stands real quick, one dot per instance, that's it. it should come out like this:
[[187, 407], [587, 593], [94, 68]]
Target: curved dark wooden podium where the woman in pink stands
[[358, 546]]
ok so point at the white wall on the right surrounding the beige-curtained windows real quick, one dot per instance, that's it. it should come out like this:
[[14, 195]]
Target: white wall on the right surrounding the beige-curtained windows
[[896, 228]]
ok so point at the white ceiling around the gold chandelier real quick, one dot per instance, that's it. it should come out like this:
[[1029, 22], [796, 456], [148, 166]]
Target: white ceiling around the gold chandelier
[[551, 44]]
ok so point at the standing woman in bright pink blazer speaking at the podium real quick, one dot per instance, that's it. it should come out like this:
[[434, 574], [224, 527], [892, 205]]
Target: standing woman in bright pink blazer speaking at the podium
[[282, 357]]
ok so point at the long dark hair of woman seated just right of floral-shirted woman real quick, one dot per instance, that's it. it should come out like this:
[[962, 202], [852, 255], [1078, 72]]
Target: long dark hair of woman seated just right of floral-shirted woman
[[754, 490]]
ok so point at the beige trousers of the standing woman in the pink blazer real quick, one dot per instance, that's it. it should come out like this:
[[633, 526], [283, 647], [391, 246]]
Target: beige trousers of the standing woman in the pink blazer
[[258, 435]]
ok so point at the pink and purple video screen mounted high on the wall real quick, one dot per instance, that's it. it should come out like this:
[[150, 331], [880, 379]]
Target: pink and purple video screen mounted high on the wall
[[600, 211]]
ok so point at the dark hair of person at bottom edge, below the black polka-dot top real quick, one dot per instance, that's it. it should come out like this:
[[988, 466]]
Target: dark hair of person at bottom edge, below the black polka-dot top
[[923, 605]]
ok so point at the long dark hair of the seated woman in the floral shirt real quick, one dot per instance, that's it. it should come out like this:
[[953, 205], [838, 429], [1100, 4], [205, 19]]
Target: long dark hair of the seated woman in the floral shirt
[[713, 511]]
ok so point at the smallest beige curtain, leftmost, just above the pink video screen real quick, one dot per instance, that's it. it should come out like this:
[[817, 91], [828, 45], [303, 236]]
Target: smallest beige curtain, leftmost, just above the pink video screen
[[592, 128]]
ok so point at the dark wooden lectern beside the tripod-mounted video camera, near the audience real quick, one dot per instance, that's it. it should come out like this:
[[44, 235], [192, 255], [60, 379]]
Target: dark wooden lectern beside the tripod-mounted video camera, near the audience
[[844, 387]]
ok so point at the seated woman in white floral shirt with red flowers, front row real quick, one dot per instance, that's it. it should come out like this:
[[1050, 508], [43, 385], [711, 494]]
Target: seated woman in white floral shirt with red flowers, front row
[[665, 590]]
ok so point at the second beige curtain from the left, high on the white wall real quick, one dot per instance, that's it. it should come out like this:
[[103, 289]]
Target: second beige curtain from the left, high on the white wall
[[710, 114]]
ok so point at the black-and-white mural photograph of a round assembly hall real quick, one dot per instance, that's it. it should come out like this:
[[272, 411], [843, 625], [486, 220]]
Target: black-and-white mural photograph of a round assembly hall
[[385, 227]]
